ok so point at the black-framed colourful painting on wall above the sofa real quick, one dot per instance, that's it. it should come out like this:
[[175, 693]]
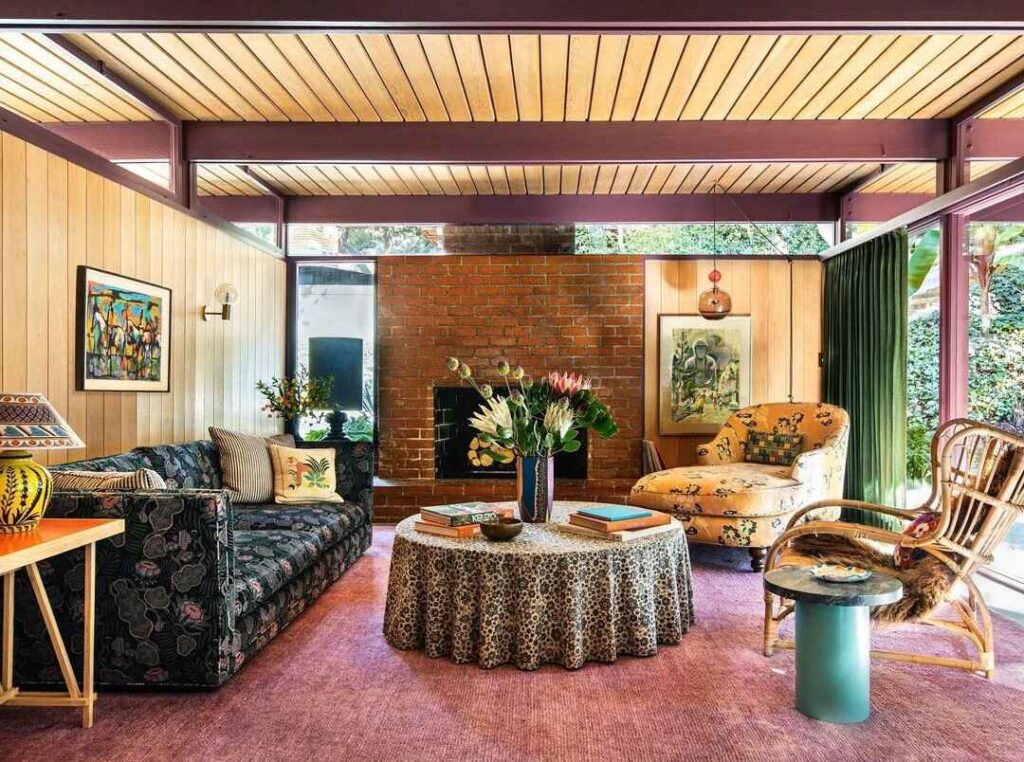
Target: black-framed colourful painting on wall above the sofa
[[143, 353]]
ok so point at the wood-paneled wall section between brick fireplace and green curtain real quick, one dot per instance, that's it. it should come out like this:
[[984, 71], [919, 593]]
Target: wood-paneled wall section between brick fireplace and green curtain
[[760, 289]]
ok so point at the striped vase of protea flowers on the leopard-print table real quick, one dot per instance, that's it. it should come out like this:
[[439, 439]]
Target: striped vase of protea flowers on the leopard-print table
[[532, 422]]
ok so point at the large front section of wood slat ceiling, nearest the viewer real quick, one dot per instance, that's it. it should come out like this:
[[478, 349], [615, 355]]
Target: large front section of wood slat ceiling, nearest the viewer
[[552, 77]]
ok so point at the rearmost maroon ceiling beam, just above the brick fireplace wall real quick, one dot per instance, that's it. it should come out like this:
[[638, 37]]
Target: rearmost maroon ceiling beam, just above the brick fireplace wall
[[525, 209]]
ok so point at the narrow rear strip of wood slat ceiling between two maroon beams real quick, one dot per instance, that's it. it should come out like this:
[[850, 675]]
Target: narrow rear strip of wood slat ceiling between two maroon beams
[[338, 180]]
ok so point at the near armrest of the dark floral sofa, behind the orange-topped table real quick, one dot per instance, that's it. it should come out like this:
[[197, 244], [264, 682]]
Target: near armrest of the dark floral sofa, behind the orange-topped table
[[164, 588]]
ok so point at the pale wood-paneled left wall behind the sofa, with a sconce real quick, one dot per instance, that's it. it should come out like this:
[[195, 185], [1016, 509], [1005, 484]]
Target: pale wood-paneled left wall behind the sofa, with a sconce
[[56, 217]]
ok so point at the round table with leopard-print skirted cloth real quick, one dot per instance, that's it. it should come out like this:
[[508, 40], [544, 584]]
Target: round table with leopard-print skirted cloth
[[544, 598]]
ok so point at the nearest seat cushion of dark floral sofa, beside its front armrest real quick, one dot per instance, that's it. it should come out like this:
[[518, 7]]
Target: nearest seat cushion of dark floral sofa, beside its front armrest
[[266, 561]]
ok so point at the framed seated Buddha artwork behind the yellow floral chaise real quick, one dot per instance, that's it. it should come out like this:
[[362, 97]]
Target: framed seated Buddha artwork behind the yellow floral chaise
[[675, 332]]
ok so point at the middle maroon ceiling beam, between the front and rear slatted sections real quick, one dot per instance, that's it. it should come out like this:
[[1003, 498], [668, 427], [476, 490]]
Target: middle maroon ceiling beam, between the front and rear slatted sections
[[570, 143]]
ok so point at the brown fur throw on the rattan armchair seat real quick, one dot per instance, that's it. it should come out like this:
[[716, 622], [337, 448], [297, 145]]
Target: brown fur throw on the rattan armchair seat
[[925, 586]]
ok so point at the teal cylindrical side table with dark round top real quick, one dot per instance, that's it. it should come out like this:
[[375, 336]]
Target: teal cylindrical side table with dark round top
[[834, 640]]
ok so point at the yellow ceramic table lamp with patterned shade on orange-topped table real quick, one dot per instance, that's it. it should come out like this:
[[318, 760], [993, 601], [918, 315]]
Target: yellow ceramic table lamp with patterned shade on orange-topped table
[[28, 422]]
